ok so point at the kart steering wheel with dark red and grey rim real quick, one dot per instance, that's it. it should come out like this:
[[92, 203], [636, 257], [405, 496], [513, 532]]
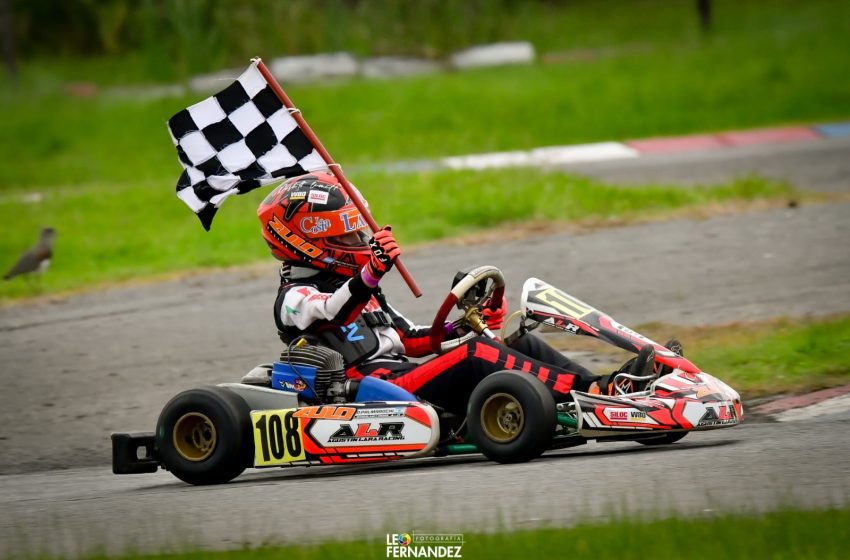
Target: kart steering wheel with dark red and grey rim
[[468, 293]]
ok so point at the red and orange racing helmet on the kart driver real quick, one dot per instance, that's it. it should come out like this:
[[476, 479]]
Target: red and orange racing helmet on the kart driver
[[310, 220]]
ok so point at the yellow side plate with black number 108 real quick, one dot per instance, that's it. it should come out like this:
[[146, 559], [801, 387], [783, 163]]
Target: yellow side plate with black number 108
[[278, 437]]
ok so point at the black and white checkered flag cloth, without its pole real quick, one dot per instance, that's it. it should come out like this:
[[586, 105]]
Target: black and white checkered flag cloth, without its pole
[[235, 141]]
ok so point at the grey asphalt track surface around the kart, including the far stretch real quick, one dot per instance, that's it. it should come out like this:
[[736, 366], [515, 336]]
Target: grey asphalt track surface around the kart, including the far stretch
[[77, 369]]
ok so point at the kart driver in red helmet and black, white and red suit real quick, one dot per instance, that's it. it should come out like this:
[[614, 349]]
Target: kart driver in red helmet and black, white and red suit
[[330, 292]]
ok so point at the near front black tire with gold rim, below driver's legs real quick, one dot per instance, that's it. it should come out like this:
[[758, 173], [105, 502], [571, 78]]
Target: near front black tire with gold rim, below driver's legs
[[492, 417]]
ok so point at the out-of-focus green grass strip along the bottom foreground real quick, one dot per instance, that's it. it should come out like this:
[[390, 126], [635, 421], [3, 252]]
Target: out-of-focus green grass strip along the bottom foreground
[[792, 534]]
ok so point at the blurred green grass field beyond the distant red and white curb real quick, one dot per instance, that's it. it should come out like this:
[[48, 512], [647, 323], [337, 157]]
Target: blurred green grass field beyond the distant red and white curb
[[765, 63]]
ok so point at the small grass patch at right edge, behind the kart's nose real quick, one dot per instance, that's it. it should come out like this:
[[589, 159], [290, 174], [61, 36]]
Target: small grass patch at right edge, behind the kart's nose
[[786, 356]]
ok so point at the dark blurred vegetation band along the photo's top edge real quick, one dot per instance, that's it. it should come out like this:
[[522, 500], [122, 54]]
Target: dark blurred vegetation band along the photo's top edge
[[120, 41]]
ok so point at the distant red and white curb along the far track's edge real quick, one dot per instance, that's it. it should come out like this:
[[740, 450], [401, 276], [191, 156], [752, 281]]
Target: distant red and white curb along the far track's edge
[[610, 151]]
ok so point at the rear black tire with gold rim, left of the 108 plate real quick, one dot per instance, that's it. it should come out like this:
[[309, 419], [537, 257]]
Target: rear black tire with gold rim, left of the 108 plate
[[204, 435]]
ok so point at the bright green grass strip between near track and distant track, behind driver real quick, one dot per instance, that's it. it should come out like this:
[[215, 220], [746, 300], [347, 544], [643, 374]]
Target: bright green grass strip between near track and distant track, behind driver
[[119, 232]]
